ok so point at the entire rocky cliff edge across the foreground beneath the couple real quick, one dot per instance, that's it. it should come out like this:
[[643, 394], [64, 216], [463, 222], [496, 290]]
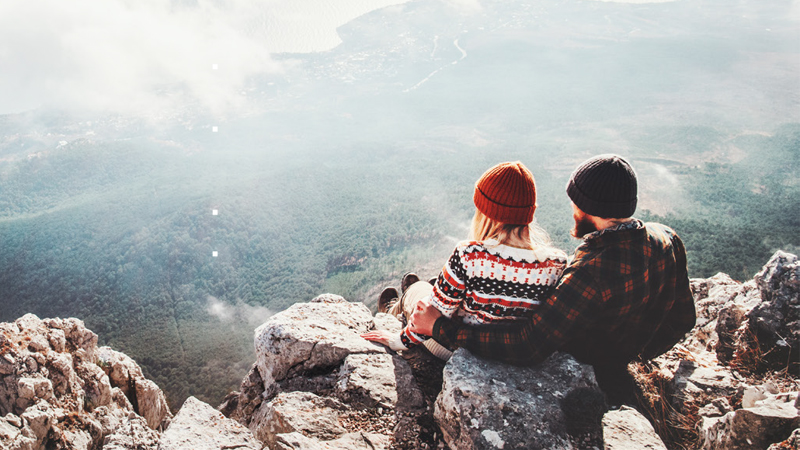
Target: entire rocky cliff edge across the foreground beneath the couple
[[731, 384]]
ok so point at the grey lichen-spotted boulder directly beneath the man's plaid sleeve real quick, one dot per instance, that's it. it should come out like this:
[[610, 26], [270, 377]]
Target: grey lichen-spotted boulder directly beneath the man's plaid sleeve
[[486, 405]]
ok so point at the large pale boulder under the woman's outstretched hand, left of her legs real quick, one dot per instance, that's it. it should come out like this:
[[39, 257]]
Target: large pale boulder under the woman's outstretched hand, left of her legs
[[317, 384]]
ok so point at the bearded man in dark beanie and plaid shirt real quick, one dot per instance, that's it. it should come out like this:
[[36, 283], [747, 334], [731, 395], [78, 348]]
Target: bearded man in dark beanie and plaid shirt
[[625, 295]]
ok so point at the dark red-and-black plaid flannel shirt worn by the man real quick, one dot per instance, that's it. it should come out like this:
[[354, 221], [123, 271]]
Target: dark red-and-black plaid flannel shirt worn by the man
[[624, 296]]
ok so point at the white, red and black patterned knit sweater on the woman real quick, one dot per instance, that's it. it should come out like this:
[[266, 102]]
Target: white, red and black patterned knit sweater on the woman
[[486, 283]]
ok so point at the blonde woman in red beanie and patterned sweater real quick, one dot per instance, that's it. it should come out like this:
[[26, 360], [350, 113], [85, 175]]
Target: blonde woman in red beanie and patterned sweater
[[501, 274]]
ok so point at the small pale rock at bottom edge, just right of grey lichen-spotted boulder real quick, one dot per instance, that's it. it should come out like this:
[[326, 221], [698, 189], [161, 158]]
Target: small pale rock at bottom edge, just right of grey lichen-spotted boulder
[[627, 429]]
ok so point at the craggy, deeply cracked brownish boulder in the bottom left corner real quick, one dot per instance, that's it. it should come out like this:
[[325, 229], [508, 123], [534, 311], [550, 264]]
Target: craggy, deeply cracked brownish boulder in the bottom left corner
[[56, 392]]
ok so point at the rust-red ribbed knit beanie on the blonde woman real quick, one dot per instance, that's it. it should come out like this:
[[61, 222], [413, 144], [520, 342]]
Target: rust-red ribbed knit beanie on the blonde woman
[[507, 193]]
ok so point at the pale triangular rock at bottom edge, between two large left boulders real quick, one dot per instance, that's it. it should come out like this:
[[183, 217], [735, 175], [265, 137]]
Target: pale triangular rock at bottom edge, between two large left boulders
[[198, 426]]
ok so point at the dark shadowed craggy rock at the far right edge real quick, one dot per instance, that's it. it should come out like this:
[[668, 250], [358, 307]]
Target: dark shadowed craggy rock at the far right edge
[[774, 324]]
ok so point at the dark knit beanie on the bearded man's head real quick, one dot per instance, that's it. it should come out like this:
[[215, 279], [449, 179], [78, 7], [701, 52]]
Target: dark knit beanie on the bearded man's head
[[604, 186]]
